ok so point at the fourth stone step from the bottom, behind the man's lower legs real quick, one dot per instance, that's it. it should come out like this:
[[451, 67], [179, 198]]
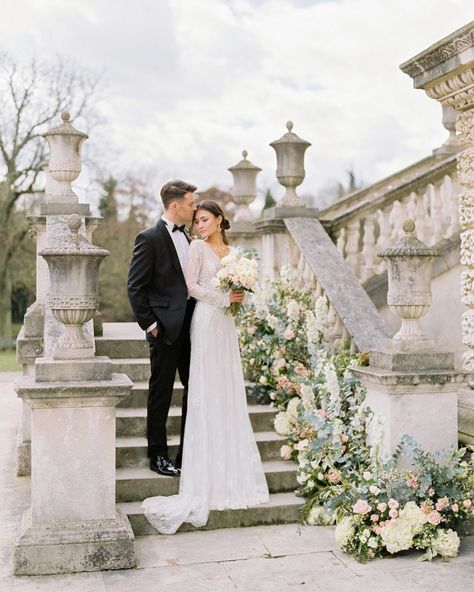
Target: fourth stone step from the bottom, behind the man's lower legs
[[132, 421]]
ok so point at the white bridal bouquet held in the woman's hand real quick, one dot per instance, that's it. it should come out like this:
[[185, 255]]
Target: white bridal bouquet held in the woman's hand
[[237, 273]]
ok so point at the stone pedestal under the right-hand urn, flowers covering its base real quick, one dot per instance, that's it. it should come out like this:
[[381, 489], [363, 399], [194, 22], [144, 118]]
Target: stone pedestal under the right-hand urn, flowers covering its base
[[412, 394]]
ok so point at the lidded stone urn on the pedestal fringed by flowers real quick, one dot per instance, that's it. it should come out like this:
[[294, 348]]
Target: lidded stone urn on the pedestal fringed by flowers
[[409, 264]]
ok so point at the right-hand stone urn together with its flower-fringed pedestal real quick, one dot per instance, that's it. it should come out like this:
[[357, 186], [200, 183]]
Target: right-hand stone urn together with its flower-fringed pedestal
[[412, 387]]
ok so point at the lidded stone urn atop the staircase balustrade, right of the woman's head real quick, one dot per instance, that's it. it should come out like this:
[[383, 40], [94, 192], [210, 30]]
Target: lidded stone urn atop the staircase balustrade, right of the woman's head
[[290, 172]]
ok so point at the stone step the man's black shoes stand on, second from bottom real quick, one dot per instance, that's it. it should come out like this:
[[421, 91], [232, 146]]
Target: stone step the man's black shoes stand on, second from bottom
[[138, 483]]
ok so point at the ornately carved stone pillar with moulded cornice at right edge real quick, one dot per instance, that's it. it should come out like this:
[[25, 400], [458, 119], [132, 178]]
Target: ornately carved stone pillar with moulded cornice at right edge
[[445, 71]]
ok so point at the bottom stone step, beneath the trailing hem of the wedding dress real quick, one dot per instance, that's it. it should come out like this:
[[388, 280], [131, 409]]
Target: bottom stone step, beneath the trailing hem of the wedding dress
[[281, 509]]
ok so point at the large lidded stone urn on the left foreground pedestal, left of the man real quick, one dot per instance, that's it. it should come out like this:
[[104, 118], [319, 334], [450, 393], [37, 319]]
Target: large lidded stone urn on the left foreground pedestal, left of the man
[[74, 272]]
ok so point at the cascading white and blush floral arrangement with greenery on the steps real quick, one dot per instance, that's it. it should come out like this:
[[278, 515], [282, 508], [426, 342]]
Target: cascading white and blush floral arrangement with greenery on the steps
[[379, 508]]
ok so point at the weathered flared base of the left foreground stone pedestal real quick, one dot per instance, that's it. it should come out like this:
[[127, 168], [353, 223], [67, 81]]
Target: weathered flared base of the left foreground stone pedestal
[[68, 547]]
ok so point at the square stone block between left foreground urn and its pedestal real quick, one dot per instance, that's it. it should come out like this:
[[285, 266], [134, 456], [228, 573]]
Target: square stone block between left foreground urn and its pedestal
[[94, 369]]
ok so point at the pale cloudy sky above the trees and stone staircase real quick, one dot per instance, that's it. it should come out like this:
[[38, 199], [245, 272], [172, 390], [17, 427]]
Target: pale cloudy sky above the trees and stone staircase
[[191, 83]]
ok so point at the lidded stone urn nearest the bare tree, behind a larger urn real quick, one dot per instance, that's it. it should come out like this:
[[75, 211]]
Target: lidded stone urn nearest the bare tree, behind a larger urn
[[65, 160]]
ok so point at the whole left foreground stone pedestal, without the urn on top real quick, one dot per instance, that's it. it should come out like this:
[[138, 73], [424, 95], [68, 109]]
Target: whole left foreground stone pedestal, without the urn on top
[[73, 523]]
